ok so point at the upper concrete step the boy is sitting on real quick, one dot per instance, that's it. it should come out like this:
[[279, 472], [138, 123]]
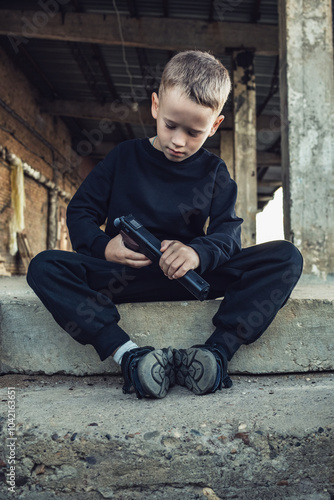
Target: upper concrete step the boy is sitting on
[[299, 340]]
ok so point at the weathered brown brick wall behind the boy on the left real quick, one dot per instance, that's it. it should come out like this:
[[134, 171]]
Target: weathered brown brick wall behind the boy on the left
[[22, 130]]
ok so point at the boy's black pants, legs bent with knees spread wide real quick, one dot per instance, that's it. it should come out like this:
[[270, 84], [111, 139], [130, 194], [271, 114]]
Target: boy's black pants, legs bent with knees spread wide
[[81, 293]]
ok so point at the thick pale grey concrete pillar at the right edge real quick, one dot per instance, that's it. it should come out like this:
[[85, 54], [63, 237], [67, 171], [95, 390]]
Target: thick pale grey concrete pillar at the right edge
[[306, 87]]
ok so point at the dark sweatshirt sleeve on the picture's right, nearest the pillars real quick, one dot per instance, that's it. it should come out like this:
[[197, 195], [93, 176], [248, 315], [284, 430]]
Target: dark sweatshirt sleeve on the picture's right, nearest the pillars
[[222, 239]]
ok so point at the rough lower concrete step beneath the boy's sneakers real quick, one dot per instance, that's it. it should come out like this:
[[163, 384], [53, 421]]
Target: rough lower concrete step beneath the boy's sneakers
[[268, 437]]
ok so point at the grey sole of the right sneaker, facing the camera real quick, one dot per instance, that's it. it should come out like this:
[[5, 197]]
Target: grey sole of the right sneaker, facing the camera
[[195, 369]]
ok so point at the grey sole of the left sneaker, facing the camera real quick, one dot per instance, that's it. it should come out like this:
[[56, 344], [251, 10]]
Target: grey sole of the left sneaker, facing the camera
[[156, 372]]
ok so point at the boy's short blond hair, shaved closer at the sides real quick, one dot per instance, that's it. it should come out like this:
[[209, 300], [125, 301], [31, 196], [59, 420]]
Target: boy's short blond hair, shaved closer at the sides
[[201, 76]]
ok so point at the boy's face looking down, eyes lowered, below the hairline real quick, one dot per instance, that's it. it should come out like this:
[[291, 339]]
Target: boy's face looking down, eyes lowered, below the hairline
[[182, 125]]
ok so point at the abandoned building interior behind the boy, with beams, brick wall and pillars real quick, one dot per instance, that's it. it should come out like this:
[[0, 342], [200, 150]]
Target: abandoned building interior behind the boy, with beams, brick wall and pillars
[[77, 78]]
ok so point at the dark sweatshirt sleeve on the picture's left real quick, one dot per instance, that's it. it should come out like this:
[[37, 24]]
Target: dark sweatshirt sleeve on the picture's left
[[88, 210]]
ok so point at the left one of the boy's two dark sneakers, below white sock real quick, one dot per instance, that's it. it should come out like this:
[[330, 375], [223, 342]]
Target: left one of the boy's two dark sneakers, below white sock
[[150, 371]]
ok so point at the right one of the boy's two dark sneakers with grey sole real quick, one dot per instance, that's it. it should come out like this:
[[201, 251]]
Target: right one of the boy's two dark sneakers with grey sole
[[201, 368]]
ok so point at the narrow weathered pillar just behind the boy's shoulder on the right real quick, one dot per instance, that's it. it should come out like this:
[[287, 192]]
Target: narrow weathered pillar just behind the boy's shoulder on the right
[[244, 106]]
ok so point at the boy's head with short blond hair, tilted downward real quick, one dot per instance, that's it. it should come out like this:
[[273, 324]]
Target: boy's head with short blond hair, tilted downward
[[194, 88]]
